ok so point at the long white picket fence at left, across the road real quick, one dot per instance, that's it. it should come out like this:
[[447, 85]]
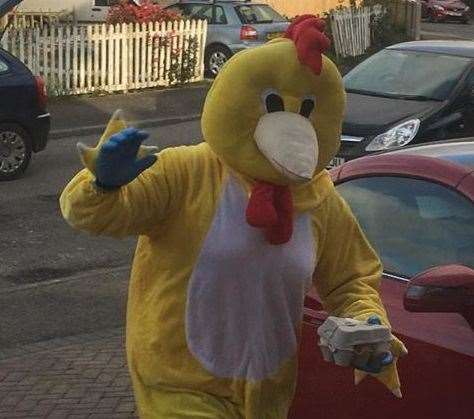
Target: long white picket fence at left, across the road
[[90, 58]]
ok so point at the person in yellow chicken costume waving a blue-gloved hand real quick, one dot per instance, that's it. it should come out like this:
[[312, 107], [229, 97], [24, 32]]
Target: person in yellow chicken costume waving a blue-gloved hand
[[232, 233]]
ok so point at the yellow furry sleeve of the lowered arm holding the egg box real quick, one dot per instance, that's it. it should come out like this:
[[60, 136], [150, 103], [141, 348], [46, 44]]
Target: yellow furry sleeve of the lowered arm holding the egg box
[[348, 273]]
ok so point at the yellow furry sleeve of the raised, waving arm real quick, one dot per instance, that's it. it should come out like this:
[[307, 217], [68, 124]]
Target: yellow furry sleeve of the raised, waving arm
[[133, 209]]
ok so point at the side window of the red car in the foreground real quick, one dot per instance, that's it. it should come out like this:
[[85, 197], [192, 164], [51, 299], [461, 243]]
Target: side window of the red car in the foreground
[[412, 224]]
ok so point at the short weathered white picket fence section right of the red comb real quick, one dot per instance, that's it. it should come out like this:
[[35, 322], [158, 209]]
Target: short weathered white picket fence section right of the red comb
[[351, 31]]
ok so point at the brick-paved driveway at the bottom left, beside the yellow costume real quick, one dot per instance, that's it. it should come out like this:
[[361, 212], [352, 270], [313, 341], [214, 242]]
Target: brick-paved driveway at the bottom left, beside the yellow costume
[[78, 377]]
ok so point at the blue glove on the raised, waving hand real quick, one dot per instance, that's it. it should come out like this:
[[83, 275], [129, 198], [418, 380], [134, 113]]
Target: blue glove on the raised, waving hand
[[117, 162]]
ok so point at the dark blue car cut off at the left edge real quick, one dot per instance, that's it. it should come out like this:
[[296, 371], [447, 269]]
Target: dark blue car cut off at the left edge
[[24, 119]]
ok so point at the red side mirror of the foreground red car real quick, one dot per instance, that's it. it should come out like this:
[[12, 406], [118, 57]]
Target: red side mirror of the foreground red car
[[445, 289]]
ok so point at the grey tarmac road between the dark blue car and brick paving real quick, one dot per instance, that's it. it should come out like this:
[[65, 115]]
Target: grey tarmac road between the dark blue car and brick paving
[[54, 281]]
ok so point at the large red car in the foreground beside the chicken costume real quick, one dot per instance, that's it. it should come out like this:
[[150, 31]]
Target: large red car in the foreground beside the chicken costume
[[416, 207]]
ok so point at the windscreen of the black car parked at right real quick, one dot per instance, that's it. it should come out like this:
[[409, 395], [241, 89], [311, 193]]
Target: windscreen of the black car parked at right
[[407, 75]]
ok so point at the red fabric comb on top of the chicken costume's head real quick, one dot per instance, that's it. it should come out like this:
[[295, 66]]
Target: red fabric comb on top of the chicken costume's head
[[307, 32]]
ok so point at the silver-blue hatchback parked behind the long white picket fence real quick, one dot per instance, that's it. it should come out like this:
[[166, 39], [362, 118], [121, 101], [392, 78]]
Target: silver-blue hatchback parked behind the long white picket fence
[[233, 26]]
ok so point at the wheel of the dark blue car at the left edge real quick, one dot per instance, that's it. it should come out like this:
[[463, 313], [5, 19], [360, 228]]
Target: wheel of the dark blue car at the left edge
[[15, 151]]
